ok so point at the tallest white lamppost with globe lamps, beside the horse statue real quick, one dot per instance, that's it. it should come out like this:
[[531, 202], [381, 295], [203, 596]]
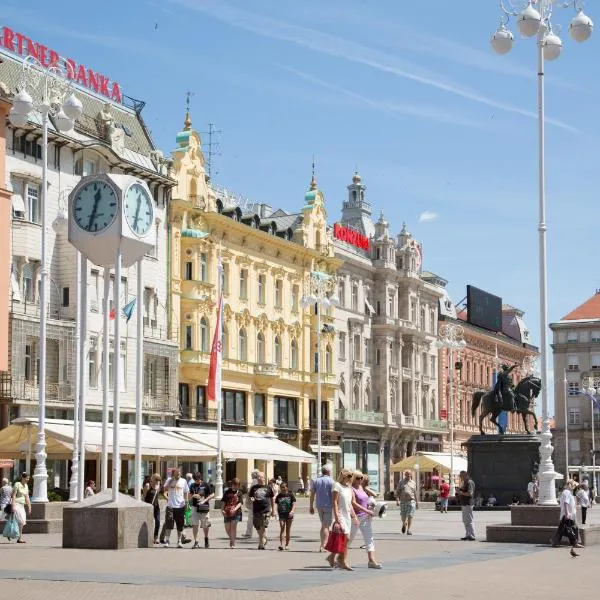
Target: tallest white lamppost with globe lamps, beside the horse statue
[[534, 19]]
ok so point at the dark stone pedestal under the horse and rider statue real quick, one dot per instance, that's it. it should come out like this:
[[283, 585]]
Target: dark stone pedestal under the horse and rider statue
[[502, 465]]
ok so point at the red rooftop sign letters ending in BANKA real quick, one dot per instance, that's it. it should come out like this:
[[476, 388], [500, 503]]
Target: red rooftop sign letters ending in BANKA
[[17, 43]]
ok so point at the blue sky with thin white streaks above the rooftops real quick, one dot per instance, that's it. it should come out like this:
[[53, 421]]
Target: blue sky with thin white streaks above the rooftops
[[409, 92]]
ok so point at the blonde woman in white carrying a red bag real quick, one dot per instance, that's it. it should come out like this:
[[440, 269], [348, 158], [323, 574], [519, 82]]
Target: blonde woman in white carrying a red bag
[[341, 499]]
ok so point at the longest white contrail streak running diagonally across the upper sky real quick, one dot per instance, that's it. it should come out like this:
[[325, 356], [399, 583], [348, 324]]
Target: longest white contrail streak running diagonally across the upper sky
[[350, 50]]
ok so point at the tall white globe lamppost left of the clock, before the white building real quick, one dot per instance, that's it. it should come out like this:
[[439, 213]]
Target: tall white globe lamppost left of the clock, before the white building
[[49, 92]]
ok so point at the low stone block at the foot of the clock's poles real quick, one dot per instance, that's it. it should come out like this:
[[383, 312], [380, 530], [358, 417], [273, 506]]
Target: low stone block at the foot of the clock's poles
[[100, 523]]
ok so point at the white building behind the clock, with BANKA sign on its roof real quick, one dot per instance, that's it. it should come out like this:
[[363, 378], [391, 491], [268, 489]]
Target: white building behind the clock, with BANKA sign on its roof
[[110, 136]]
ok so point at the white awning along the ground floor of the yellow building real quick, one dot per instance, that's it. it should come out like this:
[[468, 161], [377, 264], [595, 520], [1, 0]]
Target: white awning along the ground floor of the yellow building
[[248, 445]]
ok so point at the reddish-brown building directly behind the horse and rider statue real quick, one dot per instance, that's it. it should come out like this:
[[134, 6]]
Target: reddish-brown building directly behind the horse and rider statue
[[475, 367]]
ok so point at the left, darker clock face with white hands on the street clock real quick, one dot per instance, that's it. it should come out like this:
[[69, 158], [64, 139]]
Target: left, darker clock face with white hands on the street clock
[[95, 207]]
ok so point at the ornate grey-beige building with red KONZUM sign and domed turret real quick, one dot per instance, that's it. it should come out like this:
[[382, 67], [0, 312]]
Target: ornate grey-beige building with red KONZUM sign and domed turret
[[386, 327]]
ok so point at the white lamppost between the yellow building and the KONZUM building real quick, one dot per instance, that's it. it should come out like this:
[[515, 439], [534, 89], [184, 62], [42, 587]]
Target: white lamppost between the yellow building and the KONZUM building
[[321, 294]]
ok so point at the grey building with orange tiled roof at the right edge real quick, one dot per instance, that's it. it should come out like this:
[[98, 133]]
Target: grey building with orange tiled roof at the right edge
[[576, 353]]
